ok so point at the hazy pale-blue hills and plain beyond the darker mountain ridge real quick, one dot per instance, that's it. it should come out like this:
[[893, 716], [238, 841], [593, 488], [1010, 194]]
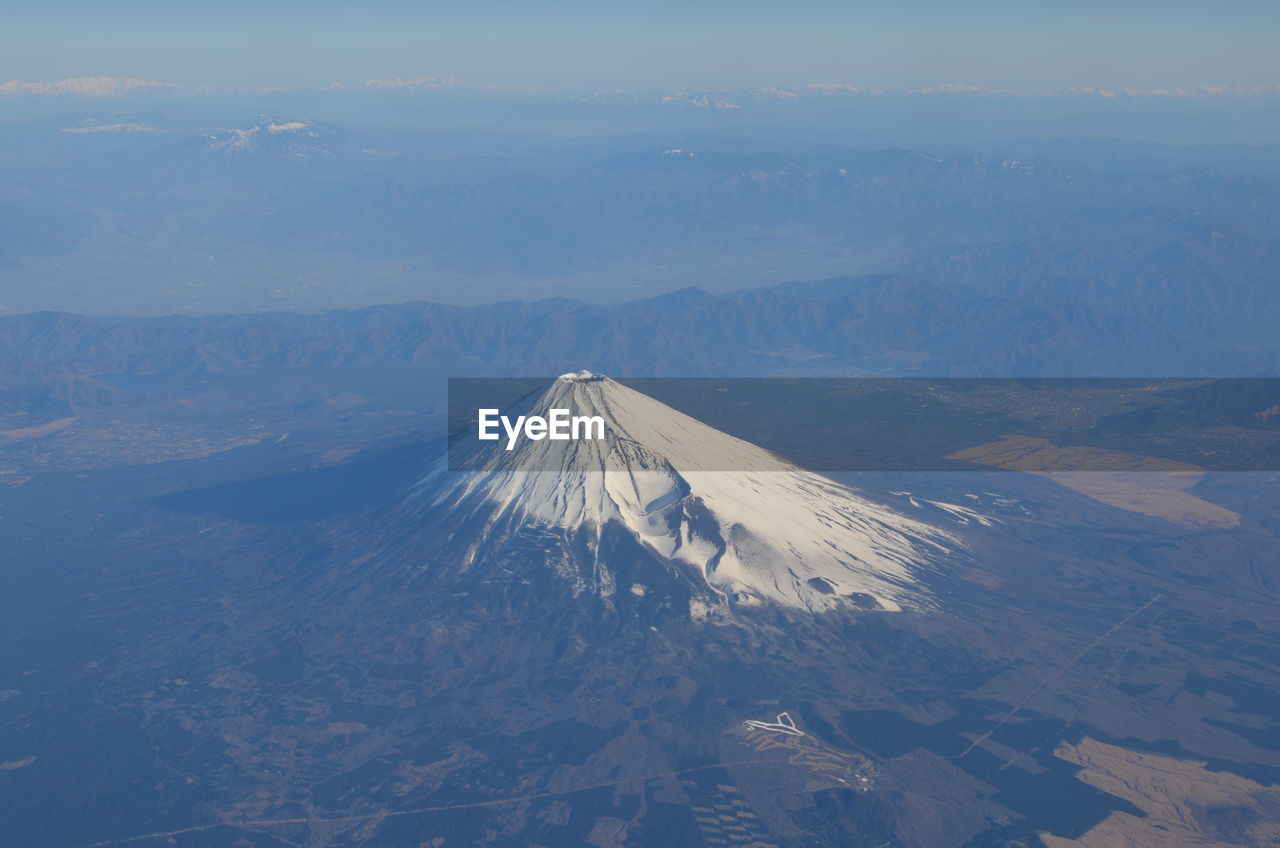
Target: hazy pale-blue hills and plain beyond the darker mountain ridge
[[290, 213]]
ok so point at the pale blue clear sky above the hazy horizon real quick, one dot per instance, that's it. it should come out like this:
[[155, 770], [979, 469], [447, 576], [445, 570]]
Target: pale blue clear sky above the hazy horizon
[[578, 45]]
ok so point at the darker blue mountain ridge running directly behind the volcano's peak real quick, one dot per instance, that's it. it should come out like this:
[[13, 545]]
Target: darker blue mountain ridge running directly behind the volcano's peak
[[880, 325]]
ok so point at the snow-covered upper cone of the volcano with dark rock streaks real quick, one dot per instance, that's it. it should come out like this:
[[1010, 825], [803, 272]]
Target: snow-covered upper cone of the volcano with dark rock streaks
[[747, 526]]
